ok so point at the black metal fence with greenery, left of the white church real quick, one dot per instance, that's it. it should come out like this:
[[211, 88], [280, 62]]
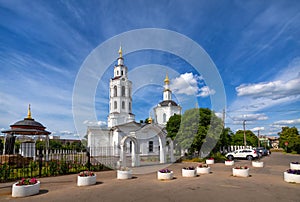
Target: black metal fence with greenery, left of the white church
[[46, 163]]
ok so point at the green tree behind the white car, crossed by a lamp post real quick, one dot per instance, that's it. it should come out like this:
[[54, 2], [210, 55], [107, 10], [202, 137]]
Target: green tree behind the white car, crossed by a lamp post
[[238, 138]]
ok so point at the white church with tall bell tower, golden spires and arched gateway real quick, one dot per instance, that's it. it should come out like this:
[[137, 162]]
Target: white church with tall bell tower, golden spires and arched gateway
[[123, 137]]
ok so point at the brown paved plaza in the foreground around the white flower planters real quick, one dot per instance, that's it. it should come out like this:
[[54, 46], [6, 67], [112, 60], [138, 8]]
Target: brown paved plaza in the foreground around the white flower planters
[[264, 184]]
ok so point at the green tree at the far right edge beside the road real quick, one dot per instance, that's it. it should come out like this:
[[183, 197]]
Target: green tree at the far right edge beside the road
[[290, 135]]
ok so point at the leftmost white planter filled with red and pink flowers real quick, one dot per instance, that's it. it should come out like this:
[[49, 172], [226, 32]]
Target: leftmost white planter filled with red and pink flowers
[[26, 187]]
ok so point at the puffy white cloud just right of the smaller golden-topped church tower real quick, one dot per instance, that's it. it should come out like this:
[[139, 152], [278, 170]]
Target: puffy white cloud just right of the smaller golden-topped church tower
[[188, 84]]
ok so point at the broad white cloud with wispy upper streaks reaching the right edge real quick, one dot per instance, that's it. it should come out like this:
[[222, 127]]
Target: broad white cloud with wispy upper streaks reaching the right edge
[[282, 89]]
